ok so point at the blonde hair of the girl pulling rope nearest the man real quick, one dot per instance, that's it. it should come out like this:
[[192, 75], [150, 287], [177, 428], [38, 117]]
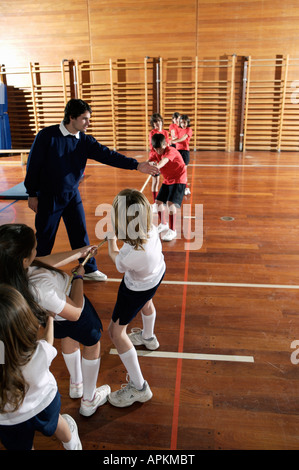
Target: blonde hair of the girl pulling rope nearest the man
[[128, 227]]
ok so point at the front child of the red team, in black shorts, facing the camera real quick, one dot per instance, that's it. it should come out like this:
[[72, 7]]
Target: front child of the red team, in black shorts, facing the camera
[[174, 171]]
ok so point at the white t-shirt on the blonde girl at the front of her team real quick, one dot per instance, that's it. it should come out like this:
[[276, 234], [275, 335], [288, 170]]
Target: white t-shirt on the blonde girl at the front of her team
[[143, 268]]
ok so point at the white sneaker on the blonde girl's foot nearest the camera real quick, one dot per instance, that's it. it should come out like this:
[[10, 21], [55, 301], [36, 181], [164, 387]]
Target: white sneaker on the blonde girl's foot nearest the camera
[[128, 394]]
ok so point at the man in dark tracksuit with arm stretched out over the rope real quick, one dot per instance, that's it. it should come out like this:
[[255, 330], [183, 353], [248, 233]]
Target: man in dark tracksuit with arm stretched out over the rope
[[55, 167]]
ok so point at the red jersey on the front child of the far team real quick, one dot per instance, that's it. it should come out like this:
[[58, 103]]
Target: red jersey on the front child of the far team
[[175, 170]]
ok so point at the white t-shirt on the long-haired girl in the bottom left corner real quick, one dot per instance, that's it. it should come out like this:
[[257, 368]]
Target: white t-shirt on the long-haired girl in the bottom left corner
[[42, 386]]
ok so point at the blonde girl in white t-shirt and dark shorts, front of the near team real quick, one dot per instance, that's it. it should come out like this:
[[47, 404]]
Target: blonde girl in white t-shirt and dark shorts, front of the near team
[[142, 262]]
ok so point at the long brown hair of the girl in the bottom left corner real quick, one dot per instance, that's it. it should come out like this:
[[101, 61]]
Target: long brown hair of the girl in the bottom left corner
[[18, 334]]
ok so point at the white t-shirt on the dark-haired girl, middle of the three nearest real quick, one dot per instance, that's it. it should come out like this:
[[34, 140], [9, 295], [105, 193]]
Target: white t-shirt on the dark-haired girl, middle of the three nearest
[[49, 288]]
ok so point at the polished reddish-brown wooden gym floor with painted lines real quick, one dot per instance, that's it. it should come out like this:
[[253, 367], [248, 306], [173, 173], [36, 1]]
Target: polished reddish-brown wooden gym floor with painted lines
[[236, 297]]
